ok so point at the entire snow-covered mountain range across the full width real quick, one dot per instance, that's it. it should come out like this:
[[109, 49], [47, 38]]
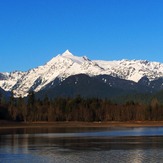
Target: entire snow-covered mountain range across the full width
[[66, 64]]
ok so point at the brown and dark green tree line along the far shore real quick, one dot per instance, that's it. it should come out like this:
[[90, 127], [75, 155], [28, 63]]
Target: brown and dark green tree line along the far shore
[[77, 109]]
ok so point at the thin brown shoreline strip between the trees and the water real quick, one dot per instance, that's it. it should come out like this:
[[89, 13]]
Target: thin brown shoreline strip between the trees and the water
[[76, 124]]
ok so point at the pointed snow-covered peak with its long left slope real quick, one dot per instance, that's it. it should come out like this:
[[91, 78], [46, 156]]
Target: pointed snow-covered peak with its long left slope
[[61, 66]]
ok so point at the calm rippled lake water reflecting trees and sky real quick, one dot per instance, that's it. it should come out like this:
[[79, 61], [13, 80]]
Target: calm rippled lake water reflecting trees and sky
[[83, 145]]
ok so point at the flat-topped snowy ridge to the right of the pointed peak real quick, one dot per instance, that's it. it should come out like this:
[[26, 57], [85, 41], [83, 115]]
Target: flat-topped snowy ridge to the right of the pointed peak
[[132, 69]]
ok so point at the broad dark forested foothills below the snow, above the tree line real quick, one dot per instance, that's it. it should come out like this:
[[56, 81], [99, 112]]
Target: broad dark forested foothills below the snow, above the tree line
[[101, 86]]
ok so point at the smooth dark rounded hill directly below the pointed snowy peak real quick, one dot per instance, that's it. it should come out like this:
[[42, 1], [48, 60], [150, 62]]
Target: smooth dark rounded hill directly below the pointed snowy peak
[[82, 85]]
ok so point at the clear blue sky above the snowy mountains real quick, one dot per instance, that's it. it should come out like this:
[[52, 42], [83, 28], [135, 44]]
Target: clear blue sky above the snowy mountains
[[34, 31]]
